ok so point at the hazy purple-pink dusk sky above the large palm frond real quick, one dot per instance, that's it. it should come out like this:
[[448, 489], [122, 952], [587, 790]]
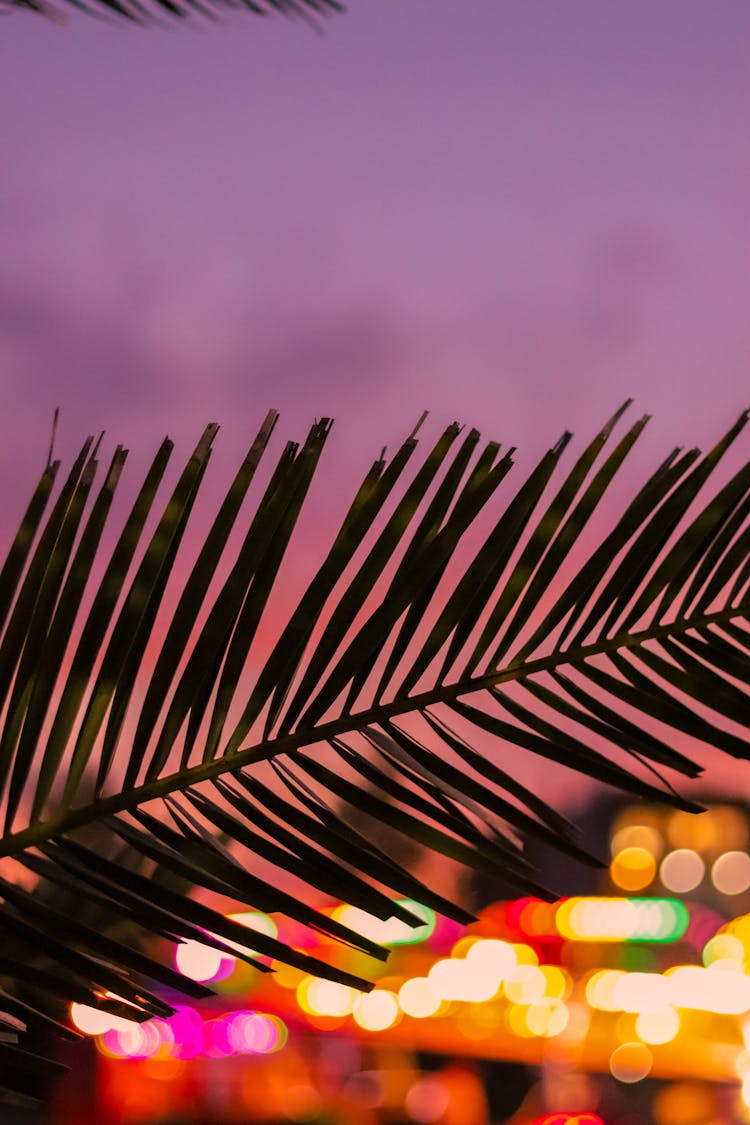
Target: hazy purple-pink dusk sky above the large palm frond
[[512, 213]]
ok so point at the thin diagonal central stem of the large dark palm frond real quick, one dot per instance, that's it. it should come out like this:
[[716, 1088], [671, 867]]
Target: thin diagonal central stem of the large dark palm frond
[[40, 833]]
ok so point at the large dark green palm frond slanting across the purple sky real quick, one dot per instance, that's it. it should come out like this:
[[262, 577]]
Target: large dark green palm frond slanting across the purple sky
[[140, 703]]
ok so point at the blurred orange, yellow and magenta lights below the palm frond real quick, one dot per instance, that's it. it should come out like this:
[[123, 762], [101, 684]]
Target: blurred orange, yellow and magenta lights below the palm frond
[[627, 1003]]
